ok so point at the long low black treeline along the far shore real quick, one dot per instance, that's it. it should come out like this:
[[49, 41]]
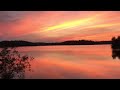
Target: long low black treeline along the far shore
[[72, 42]]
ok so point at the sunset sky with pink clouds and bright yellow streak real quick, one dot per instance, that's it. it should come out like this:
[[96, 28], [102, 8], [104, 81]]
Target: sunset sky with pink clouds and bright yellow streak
[[57, 26]]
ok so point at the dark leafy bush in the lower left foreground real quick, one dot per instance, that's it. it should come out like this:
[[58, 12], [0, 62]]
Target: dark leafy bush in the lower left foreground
[[13, 64]]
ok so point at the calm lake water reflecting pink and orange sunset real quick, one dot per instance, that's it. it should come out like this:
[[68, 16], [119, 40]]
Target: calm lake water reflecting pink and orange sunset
[[72, 62]]
